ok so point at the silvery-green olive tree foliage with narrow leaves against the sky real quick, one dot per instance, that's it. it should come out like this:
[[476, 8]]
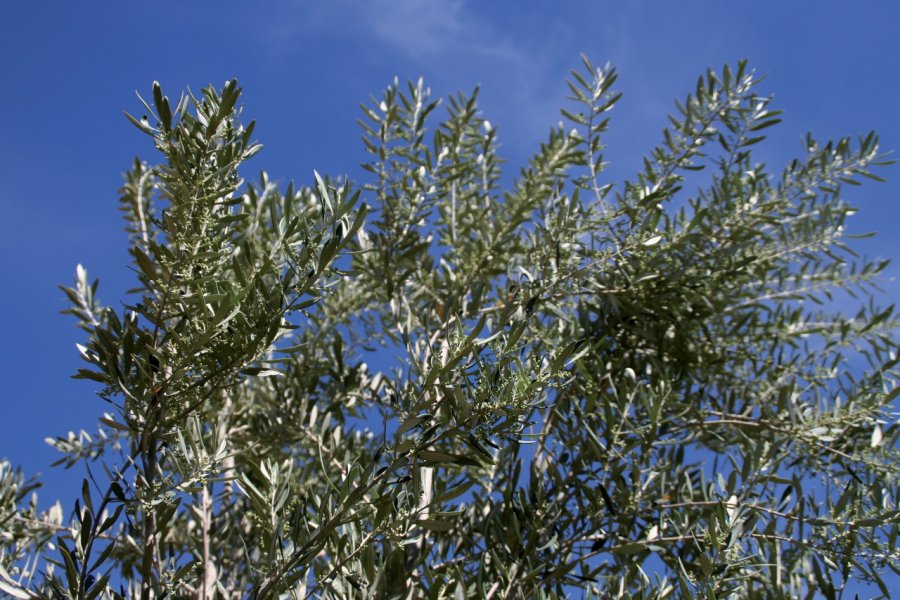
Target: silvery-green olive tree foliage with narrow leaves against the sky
[[487, 391]]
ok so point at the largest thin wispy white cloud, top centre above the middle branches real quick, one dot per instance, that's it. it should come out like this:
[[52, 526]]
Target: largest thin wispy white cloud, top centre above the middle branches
[[454, 45]]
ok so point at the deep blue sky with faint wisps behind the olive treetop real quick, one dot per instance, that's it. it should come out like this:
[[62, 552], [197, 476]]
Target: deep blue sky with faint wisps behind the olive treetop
[[69, 69]]
